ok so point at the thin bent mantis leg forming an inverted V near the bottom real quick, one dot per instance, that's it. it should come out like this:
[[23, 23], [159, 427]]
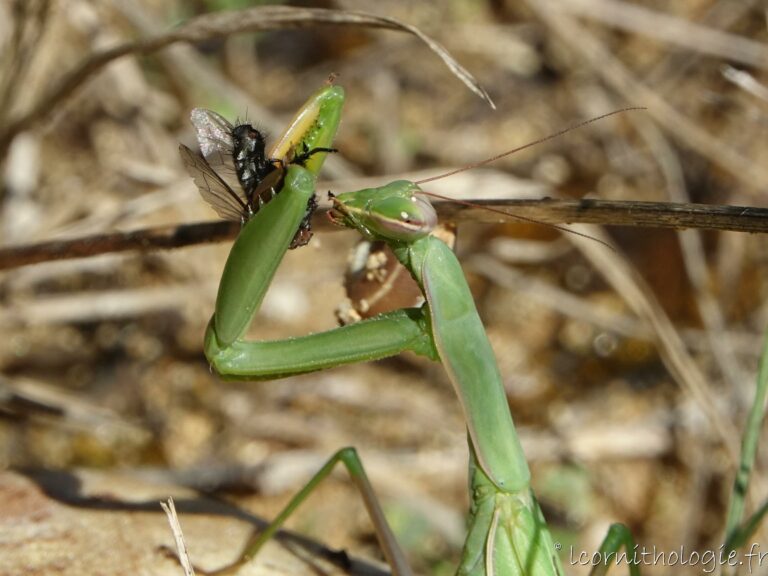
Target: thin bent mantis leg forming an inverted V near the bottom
[[351, 461]]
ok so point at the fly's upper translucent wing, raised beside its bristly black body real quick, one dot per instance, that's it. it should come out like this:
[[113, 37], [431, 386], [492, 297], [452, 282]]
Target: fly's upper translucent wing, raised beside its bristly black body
[[214, 135]]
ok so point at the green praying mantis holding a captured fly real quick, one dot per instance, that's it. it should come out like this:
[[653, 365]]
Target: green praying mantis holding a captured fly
[[507, 533]]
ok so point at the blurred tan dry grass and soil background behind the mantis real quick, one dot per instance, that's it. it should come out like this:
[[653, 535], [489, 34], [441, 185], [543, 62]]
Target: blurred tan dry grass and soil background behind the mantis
[[629, 376]]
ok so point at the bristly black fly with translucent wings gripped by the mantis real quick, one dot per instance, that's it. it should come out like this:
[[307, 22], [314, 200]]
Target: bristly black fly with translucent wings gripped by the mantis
[[234, 174]]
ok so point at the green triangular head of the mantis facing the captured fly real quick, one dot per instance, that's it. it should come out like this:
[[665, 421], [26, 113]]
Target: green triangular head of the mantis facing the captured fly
[[397, 211]]
